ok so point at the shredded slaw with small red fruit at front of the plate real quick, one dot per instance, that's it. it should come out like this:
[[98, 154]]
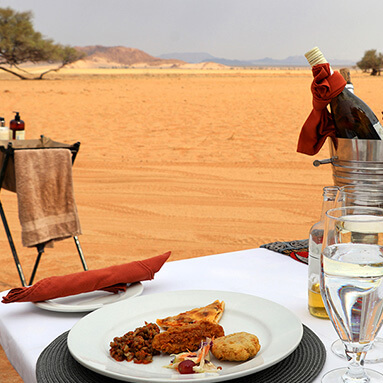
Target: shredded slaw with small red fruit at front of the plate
[[191, 362]]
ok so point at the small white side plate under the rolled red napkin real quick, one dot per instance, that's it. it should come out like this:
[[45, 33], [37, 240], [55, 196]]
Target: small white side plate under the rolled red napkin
[[89, 301]]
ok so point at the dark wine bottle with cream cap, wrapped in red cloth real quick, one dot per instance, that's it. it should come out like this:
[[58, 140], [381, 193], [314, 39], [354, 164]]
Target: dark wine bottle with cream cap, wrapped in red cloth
[[352, 117]]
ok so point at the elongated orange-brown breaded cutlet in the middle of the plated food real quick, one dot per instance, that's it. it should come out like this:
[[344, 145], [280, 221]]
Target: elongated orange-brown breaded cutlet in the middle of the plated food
[[187, 337]]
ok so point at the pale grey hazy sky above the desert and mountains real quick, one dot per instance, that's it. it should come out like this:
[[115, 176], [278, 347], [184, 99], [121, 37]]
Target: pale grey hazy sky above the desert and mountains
[[231, 29]]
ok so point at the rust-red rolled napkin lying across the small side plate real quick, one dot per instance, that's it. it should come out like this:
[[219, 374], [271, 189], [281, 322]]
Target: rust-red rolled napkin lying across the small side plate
[[113, 279]]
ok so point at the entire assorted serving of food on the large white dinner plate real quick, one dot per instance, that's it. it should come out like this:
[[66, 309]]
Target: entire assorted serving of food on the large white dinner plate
[[190, 337]]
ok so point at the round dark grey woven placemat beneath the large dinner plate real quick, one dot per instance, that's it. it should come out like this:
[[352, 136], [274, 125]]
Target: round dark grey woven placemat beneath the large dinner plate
[[56, 365]]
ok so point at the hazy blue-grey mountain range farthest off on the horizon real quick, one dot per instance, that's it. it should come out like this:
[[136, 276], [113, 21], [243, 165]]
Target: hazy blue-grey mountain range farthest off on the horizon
[[267, 61]]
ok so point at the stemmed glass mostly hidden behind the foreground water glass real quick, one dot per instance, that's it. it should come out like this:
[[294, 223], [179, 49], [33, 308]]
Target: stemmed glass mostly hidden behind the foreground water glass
[[361, 195]]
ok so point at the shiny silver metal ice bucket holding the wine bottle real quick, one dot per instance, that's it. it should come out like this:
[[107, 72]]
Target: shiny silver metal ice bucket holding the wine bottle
[[356, 162]]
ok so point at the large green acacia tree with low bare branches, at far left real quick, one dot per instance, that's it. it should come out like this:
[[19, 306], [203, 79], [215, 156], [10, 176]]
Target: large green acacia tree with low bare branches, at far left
[[20, 43]]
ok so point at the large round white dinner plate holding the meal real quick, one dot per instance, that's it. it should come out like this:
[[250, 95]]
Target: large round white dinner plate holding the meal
[[278, 329]]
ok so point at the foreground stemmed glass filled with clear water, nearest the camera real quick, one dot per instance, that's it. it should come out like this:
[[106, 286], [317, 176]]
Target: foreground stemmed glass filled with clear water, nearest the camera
[[352, 285]]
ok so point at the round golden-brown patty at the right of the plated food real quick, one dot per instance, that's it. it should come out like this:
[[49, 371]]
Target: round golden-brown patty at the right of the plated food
[[237, 347]]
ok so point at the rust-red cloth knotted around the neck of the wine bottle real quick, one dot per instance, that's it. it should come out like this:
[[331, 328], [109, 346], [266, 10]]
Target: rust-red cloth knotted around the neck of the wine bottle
[[319, 125]]
